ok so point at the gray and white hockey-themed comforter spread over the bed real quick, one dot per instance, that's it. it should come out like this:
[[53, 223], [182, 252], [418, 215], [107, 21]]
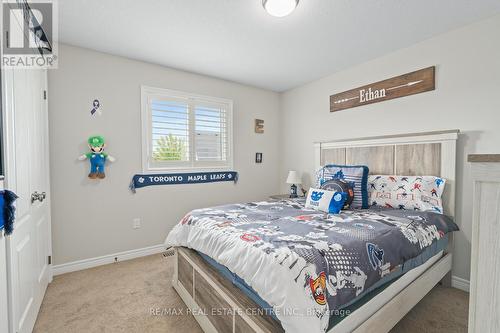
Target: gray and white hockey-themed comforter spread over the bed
[[308, 264]]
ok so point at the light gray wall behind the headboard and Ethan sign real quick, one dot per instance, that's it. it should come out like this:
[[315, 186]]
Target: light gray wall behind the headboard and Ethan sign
[[466, 97]]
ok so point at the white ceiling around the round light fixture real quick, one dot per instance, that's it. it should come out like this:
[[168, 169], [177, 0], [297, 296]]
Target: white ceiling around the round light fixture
[[237, 40]]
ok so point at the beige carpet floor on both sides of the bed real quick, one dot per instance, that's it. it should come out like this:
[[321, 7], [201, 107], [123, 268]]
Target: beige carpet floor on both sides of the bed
[[122, 297]]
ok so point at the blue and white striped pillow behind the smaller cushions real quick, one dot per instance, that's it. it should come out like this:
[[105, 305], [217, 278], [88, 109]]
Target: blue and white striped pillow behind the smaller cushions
[[357, 175]]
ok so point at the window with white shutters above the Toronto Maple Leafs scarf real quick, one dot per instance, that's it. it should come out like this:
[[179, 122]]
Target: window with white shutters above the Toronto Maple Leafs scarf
[[185, 131]]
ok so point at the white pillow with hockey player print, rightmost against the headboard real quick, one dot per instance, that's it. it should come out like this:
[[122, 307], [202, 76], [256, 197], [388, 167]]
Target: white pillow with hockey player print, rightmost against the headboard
[[421, 193]]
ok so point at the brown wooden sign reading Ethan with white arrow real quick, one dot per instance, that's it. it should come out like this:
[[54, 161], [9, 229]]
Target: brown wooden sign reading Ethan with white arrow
[[399, 86]]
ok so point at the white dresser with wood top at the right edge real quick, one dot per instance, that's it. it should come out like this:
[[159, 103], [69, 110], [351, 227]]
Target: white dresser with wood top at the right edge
[[484, 306]]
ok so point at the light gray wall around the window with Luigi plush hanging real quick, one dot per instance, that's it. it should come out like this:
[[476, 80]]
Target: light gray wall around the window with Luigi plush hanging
[[94, 218]]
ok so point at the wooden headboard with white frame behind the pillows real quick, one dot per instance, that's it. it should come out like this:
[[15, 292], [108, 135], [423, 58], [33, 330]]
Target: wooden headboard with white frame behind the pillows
[[416, 154]]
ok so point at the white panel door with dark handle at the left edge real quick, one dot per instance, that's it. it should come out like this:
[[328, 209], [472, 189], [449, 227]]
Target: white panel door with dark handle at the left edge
[[27, 174]]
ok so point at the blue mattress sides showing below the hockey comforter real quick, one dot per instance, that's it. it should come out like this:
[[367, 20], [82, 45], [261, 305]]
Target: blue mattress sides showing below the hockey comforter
[[430, 255]]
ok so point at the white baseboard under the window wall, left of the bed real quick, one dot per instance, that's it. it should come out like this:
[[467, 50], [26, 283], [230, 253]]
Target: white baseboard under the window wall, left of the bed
[[104, 260]]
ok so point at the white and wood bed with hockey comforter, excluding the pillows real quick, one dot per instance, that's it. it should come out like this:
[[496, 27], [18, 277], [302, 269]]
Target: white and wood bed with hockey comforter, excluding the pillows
[[208, 263]]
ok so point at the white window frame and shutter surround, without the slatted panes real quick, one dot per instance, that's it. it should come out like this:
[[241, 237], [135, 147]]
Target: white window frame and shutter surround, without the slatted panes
[[148, 165]]
